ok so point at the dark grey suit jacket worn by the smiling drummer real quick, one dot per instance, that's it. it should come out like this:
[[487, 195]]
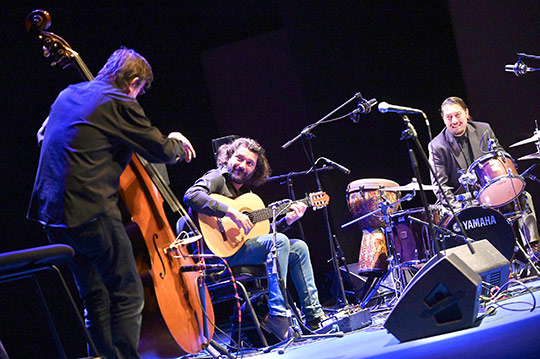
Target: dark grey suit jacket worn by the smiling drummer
[[446, 157]]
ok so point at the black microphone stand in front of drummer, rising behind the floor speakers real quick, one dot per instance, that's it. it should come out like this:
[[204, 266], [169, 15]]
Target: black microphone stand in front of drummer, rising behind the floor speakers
[[410, 134]]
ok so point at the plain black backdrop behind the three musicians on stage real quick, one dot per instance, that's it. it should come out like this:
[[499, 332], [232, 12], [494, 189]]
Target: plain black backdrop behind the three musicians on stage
[[267, 69]]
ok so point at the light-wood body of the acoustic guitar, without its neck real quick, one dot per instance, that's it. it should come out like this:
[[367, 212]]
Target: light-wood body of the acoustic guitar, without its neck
[[221, 235]]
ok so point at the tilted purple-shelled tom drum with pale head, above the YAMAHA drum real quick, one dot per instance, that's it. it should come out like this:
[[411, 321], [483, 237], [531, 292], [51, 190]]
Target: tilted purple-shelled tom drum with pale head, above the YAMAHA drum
[[499, 182]]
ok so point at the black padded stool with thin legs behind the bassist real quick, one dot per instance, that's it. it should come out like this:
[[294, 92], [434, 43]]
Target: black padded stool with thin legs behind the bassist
[[27, 263]]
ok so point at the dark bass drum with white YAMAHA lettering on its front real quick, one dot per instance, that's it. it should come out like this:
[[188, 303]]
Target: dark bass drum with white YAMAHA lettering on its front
[[482, 223]]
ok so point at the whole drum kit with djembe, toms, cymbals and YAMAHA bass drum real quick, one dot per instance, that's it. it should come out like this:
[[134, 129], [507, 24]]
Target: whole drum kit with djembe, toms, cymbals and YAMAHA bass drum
[[395, 240]]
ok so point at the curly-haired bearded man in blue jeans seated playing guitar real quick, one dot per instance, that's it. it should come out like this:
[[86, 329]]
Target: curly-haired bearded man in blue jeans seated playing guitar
[[243, 164]]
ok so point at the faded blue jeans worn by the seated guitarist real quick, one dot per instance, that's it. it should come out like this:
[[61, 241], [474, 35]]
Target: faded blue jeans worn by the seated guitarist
[[293, 256]]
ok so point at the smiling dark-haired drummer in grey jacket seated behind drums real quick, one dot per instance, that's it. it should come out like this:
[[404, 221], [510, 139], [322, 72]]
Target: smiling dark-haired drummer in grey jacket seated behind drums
[[458, 145]]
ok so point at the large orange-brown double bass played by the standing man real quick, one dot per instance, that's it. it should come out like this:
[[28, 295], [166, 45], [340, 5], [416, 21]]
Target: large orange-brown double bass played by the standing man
[[182, 297]]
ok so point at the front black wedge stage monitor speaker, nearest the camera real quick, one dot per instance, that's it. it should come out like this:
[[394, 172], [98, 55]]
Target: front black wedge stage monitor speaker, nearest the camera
[[440, 299]]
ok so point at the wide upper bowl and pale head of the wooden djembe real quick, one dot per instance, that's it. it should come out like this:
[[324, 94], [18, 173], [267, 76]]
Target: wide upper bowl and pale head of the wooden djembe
[[365, 195]]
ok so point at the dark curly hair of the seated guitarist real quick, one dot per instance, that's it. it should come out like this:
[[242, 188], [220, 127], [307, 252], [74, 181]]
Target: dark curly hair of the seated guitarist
[[263, 170]]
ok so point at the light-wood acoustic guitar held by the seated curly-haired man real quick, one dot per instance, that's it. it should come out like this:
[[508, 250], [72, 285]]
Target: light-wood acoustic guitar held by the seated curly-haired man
[[222, 235]]
